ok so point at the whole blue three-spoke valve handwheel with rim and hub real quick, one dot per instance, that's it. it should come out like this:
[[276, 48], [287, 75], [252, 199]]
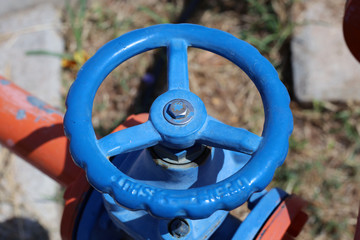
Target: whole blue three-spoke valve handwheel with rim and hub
[[267, 152]]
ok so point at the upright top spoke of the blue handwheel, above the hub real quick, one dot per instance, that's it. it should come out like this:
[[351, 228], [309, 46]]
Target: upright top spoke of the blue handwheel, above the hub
[[178, 77]]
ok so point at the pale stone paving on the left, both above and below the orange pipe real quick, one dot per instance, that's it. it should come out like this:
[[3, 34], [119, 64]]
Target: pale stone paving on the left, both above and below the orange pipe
[[33, 195]]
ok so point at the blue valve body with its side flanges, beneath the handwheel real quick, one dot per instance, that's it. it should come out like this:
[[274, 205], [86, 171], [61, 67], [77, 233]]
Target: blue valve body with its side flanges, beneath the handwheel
[[102, 216]]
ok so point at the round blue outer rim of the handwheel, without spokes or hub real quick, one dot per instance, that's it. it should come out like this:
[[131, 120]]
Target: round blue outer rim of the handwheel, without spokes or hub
[[193, 203]]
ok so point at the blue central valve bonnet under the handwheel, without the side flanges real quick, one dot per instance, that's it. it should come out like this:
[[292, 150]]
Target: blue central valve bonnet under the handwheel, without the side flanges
[[140, 224]]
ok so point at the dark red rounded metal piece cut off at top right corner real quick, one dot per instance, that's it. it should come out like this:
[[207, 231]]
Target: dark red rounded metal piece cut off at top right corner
[[351, 27]]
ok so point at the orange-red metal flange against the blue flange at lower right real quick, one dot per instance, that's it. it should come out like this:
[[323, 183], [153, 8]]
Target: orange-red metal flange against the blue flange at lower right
[[286, 221]]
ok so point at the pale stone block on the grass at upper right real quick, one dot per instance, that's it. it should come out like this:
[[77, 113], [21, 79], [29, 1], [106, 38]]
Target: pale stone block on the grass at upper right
[[323, 67]]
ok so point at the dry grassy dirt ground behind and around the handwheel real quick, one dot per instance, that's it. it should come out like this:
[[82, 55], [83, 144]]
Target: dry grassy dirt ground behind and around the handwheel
[[323, 164]]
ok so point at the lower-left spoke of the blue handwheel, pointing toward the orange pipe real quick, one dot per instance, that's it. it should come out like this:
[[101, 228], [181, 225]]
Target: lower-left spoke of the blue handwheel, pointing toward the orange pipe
[[129, 139]]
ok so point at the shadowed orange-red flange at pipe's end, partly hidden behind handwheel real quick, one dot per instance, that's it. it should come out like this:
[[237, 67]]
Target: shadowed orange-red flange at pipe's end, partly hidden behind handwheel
[[75, 194]]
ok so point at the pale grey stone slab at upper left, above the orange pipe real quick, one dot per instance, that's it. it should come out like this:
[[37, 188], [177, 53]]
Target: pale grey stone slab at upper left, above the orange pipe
[[32, 29]]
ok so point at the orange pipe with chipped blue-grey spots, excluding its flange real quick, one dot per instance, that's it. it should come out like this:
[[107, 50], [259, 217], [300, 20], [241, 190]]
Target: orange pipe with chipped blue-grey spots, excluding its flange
[[34, 130]]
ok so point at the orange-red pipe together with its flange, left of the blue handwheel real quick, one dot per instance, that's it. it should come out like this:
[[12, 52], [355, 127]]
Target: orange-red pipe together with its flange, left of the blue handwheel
[[34, 130]]
